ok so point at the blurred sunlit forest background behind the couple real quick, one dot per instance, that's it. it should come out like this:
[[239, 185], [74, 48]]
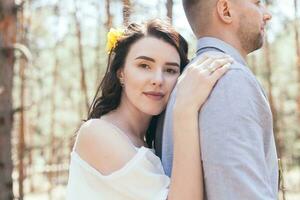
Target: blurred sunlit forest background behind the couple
[[52, 57]]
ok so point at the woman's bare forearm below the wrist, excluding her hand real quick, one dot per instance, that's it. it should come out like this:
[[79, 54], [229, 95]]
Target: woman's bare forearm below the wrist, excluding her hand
[[186, 181]]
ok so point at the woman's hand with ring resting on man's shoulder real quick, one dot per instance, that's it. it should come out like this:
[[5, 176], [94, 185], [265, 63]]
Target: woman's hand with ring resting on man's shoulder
[[197, 81]]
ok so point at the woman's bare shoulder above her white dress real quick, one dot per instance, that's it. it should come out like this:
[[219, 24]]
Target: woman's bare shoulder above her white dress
[[102, 146]]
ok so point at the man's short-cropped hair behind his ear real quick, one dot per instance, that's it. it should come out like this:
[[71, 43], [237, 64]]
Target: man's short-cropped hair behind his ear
[[199, 13]]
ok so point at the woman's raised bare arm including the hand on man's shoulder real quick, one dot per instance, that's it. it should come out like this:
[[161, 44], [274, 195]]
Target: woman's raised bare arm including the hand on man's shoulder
[[193, 88]]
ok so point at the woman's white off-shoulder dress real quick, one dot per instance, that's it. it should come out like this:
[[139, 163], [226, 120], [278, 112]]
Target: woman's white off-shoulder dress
[[142, 178]]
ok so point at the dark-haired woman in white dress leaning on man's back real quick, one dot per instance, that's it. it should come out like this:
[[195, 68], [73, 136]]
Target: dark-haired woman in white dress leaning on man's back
[[112, 157]]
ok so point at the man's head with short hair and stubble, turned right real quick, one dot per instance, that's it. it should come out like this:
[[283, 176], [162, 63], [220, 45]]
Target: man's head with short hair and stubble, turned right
[[241, 23]]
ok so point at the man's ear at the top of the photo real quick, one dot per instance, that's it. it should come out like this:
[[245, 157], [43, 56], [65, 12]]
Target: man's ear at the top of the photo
[[225, 10]]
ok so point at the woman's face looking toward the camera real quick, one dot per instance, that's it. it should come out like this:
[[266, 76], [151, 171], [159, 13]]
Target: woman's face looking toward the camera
[[149, 75]]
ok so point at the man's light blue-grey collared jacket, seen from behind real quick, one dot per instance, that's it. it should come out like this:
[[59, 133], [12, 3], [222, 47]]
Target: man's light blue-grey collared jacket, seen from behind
[[236, 134]]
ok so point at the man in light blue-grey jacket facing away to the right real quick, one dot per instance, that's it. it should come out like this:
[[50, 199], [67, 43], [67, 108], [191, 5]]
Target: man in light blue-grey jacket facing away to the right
[[235, 124]]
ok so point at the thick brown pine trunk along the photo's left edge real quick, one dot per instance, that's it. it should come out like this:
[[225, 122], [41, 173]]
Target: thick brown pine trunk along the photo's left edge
[[8, 20]]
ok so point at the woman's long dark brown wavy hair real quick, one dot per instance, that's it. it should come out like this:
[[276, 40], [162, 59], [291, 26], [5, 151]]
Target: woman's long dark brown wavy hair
[[110, 86]]
